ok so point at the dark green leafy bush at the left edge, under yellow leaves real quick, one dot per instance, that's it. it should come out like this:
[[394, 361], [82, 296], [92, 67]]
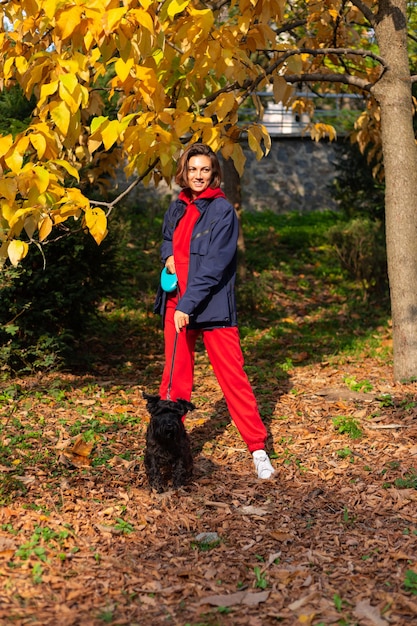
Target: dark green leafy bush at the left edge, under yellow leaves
[[47, 303]]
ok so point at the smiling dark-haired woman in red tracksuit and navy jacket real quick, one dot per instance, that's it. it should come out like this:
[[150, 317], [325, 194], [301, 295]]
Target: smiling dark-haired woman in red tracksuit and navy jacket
[[200, 234]]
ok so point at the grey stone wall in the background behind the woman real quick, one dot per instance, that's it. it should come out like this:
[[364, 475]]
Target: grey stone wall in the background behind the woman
[[295, 176]]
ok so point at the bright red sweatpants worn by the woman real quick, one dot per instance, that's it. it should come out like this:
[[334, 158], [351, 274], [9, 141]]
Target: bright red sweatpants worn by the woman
[[225, 354]]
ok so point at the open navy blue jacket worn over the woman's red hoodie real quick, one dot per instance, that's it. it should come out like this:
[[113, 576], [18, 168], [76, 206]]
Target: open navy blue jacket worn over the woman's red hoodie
[[209, 298]]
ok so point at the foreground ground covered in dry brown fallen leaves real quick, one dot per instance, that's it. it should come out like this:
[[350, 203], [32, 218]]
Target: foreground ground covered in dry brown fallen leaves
[[330, 540]]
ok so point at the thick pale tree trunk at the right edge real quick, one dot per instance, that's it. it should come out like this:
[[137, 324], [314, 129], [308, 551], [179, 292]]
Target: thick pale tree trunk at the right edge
[[393, 93]]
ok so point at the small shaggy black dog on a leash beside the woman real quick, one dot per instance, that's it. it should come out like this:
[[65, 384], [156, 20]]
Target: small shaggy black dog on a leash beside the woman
[[168, 451]]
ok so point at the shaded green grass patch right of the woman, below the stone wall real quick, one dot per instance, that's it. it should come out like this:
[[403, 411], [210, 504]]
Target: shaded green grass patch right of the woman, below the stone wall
[[296, 303]]
